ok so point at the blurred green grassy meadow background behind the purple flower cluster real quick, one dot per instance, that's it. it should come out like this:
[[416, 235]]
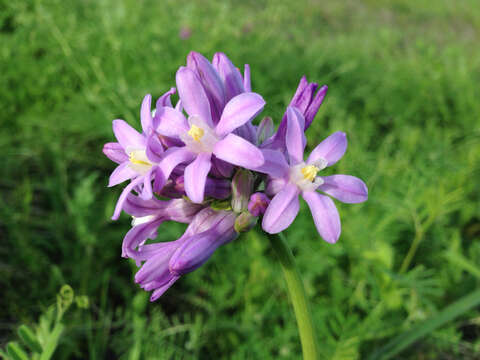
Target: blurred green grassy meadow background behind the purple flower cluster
[[403, 81]]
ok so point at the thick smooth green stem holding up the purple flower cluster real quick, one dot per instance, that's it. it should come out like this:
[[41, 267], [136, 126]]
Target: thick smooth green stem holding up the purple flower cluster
[[297, 296]]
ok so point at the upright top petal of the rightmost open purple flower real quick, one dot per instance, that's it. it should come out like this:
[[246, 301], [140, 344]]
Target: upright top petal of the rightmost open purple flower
[[295, 137]]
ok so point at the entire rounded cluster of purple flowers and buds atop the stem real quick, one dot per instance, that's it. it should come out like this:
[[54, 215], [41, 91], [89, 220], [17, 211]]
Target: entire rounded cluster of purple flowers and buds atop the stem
[[204, 163]]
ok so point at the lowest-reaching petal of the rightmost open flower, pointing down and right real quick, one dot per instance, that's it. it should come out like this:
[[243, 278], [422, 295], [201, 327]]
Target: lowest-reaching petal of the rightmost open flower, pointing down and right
[[325, 215]]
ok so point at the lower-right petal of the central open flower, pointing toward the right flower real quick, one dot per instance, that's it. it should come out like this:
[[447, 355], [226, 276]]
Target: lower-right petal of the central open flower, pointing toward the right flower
[[238, 151]]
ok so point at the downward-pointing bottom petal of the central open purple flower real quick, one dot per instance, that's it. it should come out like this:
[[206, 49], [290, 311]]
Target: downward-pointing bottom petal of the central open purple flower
[[196, 176]]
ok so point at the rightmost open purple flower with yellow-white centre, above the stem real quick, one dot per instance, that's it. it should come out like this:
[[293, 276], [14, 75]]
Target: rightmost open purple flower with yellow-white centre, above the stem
[[300, 177]]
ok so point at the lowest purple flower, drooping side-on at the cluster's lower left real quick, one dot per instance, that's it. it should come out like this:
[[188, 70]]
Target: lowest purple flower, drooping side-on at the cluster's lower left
[[165, 262]]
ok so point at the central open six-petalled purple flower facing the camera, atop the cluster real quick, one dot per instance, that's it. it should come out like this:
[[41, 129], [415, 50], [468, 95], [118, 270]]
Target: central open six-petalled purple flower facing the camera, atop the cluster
[[201, 136]]
